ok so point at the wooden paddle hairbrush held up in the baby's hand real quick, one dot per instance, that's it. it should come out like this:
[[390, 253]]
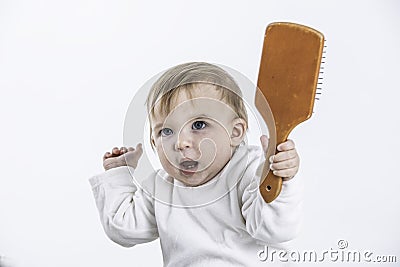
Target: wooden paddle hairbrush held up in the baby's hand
[[287, 80]]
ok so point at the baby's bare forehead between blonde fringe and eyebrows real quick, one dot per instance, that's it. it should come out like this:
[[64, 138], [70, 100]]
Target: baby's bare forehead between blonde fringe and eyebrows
[[203, 101]]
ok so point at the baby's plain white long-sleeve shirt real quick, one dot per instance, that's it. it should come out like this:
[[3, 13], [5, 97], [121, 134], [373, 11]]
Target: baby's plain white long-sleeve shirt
[[224, 222]]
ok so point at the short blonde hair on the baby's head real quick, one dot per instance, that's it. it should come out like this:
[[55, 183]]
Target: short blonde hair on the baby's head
[[185, 77]]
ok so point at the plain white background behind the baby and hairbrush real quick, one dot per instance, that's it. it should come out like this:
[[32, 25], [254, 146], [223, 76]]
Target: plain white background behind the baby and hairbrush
[[69, 69]]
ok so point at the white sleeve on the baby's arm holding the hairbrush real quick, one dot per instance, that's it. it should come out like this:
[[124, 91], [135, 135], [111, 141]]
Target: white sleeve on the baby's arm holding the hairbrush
[[278, 221]]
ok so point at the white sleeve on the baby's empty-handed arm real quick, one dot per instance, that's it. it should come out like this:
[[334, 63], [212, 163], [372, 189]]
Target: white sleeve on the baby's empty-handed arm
[[126, 211]]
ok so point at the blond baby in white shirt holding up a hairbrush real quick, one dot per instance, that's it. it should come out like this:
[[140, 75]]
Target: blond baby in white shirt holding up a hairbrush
[[204, 203]]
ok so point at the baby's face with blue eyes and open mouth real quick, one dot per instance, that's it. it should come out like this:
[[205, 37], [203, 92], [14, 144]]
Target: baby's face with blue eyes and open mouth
[[197, 138]]
